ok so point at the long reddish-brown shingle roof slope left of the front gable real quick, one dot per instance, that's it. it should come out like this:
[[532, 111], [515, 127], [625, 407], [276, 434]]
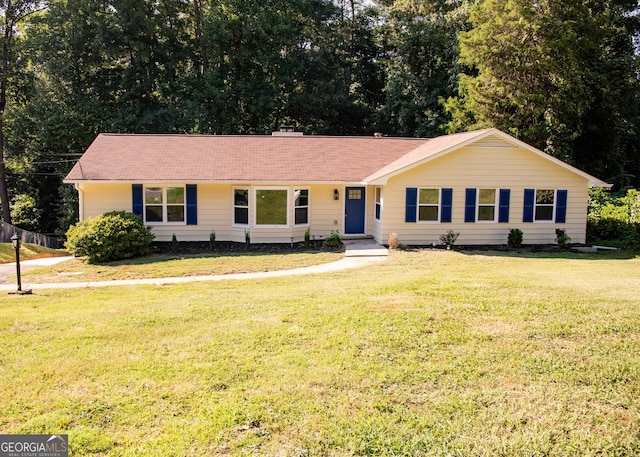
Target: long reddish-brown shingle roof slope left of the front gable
[[117, 157]]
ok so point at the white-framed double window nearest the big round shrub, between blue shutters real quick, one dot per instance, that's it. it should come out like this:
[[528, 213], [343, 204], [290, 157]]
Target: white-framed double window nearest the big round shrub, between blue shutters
[[164, 205]]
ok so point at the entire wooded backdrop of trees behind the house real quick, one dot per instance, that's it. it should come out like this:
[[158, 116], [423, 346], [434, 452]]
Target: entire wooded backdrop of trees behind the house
[[561, 75]]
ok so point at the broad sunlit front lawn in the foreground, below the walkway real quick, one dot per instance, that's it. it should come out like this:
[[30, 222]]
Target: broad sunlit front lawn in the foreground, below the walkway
[[430, 353]]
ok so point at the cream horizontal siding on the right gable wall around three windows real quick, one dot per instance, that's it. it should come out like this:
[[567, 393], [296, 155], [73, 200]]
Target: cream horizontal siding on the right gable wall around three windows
[[493, 165]]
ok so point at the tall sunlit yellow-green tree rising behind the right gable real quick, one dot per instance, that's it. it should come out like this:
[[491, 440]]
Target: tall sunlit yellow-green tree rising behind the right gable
[[544, 70]]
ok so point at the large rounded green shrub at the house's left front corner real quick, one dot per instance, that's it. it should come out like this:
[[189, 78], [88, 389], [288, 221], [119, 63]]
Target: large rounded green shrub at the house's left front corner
[[111, 236]]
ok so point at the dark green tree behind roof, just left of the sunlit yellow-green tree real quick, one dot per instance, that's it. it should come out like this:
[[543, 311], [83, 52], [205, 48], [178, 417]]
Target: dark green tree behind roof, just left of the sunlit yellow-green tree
[[422, 64]]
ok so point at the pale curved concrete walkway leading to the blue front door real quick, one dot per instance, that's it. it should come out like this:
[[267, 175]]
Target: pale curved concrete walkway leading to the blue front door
[[358, 253]]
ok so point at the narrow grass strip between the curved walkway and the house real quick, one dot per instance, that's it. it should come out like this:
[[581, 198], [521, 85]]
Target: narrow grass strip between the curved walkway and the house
[[164, 266]]
